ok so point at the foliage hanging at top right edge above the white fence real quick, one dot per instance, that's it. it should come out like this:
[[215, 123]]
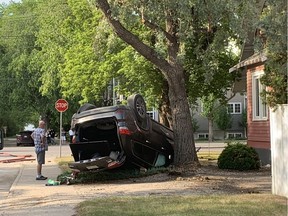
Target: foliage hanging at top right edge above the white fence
[[272, 39]]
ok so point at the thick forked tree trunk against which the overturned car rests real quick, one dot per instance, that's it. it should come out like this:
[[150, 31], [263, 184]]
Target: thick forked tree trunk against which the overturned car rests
[[172, 71]]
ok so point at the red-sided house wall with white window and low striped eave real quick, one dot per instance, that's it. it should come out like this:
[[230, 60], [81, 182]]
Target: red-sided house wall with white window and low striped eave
[[258, 123]]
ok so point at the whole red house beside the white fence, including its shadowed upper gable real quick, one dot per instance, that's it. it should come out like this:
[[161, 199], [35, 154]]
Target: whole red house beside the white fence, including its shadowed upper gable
[[251, 67]]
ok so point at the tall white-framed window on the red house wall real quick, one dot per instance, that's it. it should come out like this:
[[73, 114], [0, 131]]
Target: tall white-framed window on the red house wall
[[258, 106]]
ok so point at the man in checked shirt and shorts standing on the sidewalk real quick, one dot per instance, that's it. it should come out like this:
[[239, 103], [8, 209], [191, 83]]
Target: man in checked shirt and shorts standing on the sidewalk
[[40, 141]]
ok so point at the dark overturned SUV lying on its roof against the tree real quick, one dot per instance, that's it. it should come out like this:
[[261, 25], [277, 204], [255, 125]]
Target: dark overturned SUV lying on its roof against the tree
[[109, 137]]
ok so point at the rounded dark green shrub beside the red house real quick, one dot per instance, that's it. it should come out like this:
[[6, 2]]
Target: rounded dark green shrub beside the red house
[[238, 156]]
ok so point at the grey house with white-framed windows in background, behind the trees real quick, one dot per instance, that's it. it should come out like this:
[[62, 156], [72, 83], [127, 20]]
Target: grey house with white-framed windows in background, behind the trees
[[236, 106]]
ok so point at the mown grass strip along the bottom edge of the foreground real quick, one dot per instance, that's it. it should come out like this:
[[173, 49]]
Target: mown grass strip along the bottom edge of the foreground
[[220, 205]]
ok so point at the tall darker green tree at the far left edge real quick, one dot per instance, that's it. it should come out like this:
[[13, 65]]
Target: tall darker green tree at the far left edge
[[22, 65]]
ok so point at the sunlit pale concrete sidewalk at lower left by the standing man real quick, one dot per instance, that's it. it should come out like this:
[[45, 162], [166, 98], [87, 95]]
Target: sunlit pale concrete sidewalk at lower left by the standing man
[[28, 196]]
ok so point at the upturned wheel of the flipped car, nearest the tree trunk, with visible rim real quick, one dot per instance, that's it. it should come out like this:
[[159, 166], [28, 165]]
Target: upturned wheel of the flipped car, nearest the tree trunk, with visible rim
[[137, 103]]
